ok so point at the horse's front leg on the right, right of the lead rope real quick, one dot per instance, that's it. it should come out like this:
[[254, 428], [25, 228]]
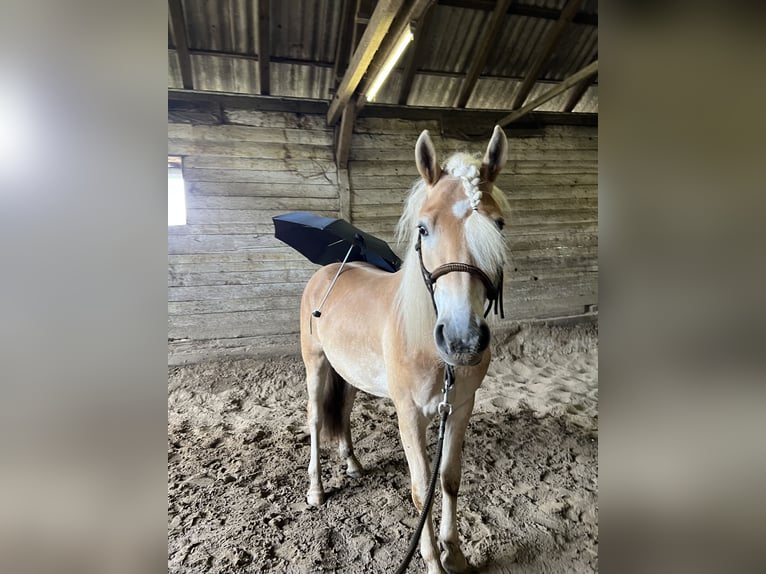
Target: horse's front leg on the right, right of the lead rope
[[452, 557]]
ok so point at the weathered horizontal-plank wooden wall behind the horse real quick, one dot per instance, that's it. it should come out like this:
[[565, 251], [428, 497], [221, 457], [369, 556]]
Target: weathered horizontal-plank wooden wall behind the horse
[[234, 290]]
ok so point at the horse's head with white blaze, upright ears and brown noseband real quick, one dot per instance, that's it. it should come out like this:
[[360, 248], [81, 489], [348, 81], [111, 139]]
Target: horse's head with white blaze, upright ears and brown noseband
[[462, 250]]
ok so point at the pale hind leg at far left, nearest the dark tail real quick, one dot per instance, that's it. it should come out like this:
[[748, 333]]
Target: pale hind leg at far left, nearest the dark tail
[[317, 375]]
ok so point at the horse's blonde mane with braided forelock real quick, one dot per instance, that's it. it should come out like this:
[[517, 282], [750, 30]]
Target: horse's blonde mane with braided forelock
[[485, 243]]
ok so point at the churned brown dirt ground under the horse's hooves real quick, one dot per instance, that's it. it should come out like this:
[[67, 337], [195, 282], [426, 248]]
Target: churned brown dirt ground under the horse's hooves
[[238, 453]]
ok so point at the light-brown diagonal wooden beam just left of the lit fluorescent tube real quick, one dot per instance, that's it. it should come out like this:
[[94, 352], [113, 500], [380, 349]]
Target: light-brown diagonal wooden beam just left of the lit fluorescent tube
[[373, 36]]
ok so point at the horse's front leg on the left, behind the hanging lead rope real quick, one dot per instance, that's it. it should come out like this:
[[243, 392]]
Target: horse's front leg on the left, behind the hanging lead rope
[[412, 428]]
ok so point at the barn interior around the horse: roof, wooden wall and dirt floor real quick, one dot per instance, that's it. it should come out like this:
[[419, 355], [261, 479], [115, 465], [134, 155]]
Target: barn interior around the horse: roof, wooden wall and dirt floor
[[280, 106]]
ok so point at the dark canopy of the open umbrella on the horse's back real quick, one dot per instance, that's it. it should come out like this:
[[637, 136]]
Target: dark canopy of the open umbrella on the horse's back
[[324, 240]]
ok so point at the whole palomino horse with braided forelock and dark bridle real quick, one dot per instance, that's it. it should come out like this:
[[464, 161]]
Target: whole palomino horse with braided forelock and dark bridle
[[386, 334]]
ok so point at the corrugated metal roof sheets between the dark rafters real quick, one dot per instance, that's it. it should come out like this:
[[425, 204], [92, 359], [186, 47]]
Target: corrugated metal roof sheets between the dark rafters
[[222, 37]]
